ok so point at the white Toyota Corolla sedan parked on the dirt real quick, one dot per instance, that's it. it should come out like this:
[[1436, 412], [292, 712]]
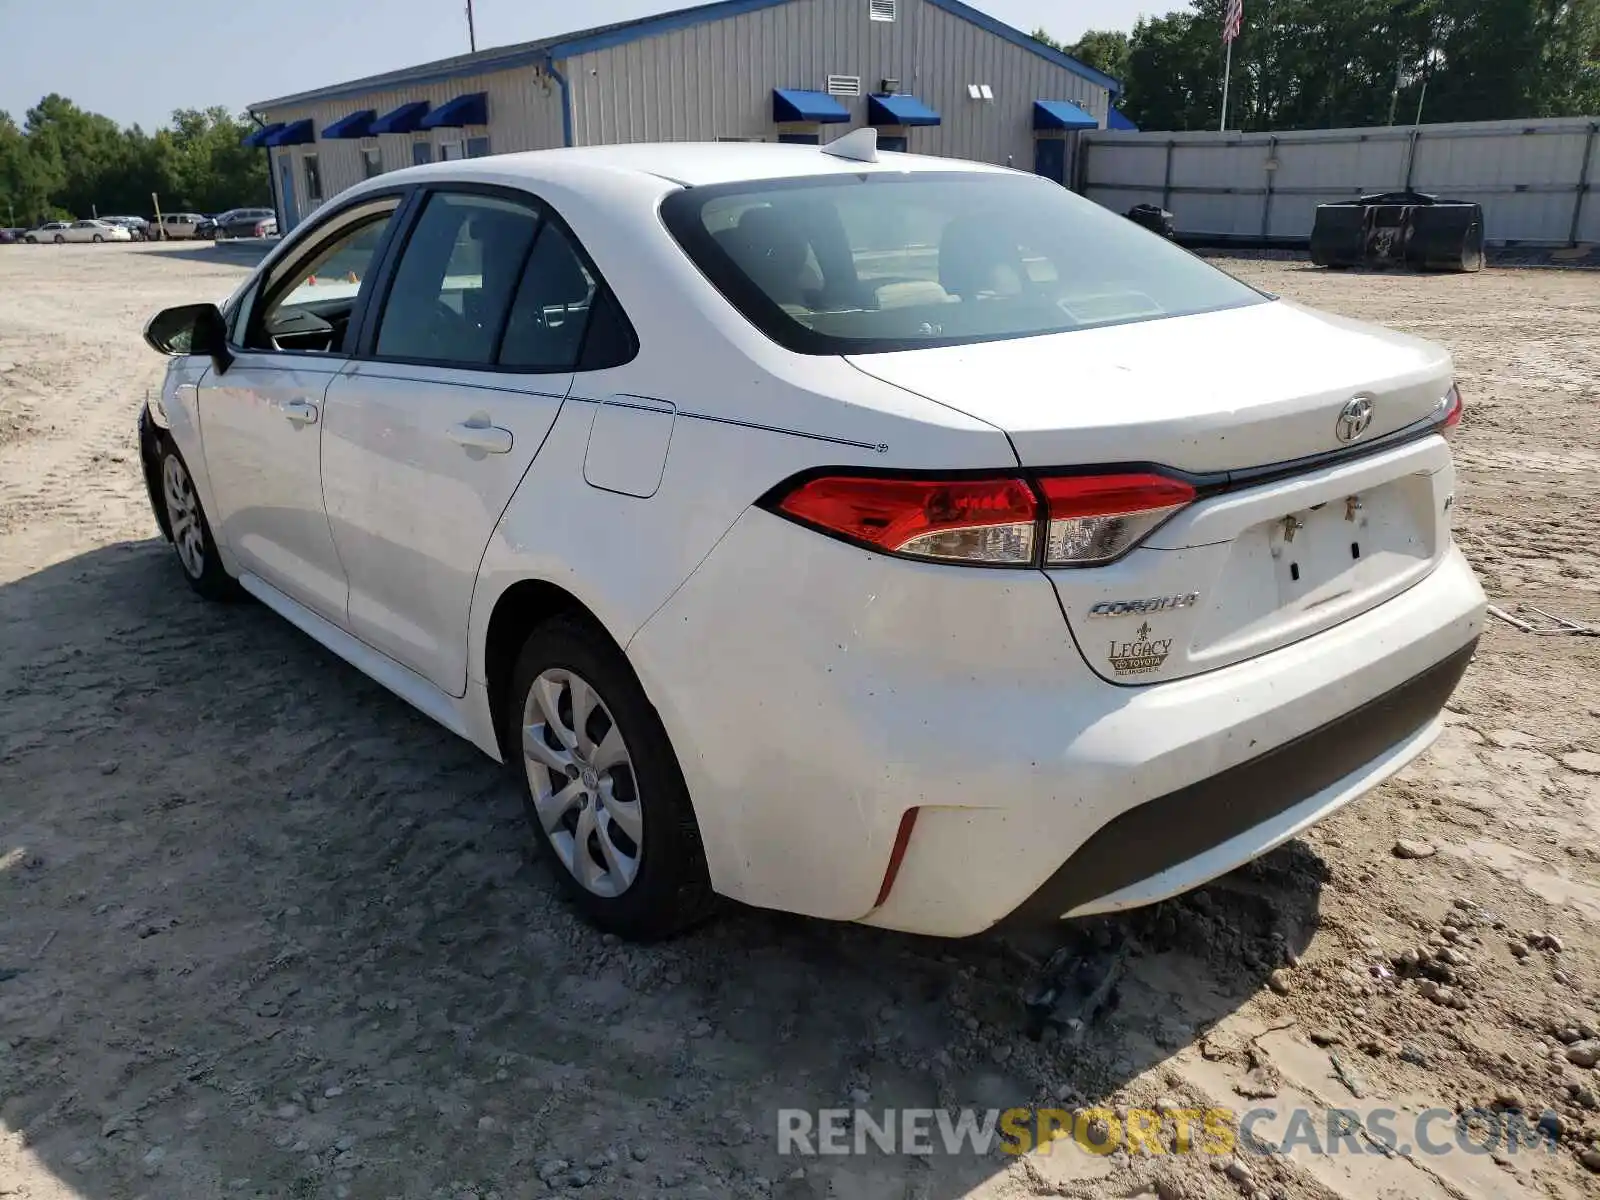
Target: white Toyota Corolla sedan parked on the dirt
[[873, 537]]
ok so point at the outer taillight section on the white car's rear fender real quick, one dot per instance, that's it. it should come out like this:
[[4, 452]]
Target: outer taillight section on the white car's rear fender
[[986, 521]]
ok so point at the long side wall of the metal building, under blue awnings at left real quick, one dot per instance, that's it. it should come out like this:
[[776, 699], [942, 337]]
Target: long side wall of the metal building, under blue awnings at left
[[526, 114]]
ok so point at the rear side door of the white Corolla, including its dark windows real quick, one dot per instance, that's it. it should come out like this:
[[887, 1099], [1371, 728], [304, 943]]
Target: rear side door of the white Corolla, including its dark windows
[[430, 433]]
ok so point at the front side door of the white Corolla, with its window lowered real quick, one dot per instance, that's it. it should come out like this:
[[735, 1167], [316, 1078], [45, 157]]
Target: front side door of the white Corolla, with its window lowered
[[262, 418]]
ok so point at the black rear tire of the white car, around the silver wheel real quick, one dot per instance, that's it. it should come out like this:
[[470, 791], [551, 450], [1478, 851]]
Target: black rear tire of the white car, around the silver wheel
[[671, 890]]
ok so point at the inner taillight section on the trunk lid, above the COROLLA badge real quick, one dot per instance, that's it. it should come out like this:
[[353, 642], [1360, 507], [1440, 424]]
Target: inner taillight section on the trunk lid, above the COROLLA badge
[[1095, 519]]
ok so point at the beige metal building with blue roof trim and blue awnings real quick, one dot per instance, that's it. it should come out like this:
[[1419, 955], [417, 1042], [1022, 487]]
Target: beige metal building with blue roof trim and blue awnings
[[934, 76]]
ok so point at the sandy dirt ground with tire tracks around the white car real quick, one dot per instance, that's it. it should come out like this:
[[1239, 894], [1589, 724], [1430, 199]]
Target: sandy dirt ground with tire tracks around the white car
[[266, 932]]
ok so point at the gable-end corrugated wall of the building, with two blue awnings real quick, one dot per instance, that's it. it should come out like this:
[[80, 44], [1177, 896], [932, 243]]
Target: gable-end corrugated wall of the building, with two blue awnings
[[716, 81]]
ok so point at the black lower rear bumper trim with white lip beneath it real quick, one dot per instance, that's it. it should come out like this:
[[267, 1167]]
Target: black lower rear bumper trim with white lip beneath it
[[1186, 838]]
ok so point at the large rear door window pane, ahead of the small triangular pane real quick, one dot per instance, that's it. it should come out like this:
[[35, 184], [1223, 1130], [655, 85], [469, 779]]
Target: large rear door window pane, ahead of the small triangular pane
[[457, 281]]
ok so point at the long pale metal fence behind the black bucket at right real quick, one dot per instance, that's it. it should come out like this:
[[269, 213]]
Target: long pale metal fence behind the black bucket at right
[[1530, 177]]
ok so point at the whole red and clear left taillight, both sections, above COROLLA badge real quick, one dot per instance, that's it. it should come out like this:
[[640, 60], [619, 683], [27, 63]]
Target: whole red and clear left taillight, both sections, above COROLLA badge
[[1058, 521]]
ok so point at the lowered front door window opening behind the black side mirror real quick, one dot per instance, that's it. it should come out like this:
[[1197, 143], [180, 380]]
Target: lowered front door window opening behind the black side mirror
[[310, 305]]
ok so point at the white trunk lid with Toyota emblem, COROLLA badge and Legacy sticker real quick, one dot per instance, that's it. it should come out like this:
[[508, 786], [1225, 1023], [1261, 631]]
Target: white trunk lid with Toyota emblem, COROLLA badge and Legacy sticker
[[1252, 569]]
